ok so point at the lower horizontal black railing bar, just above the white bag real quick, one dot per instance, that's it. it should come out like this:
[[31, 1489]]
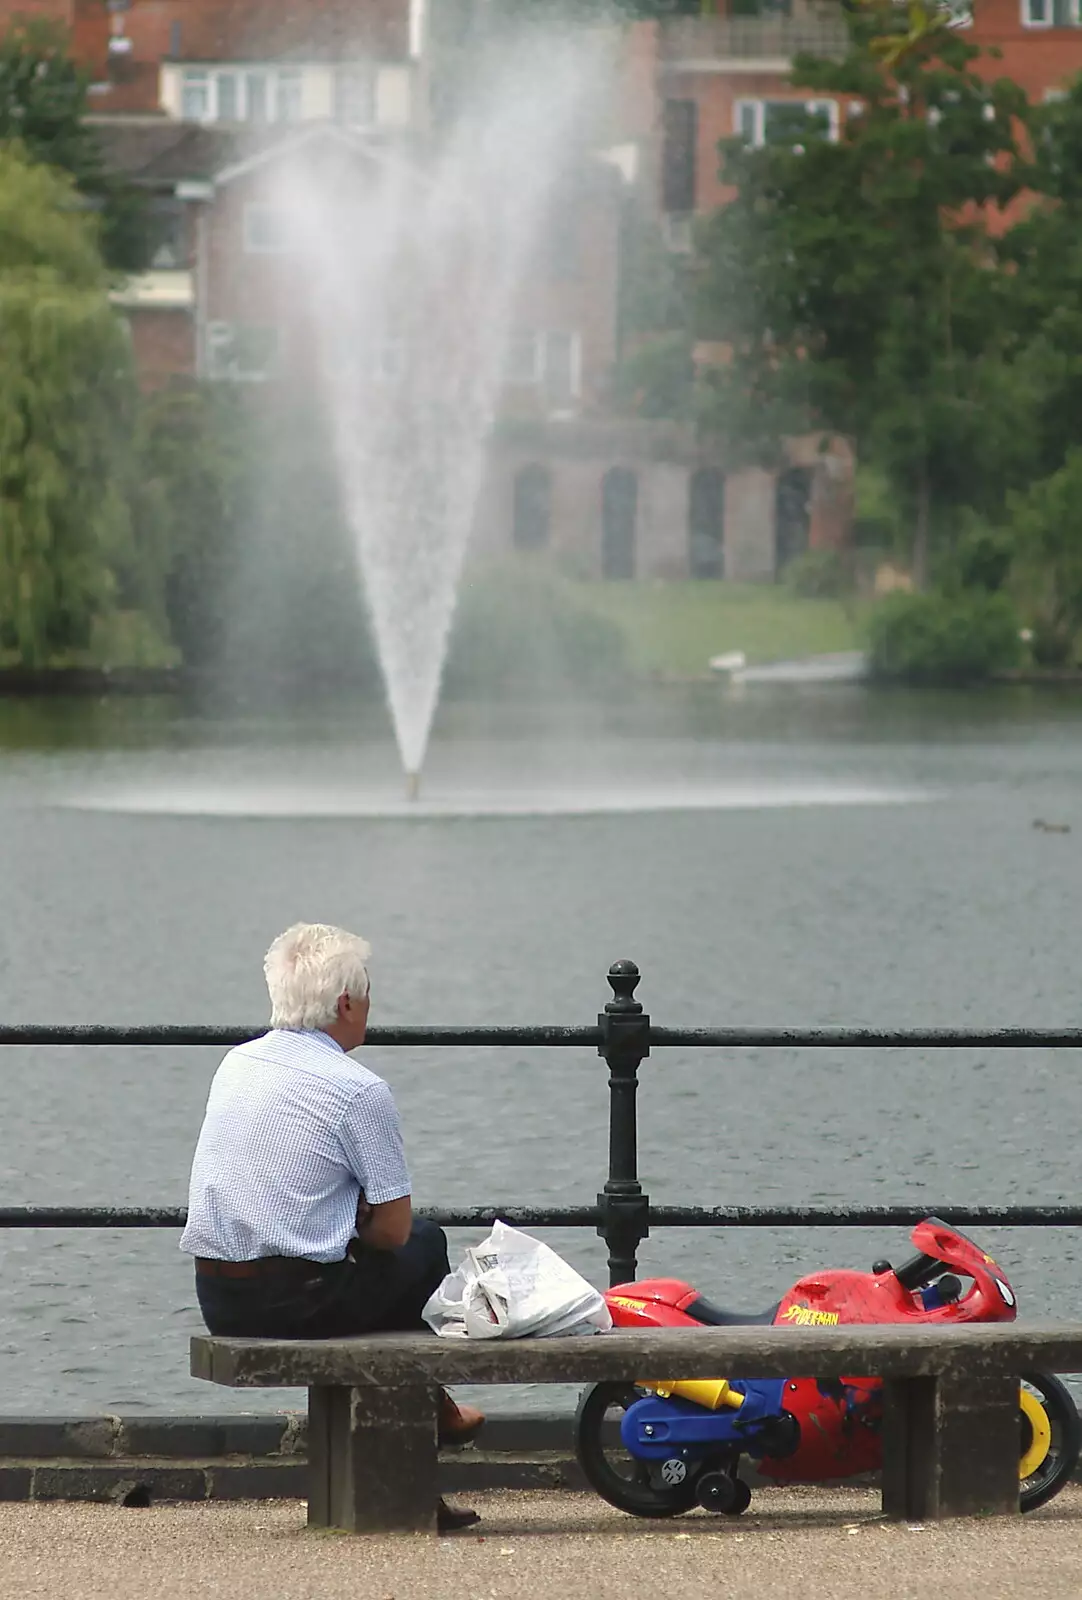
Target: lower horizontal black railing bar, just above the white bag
[[588, 1217]]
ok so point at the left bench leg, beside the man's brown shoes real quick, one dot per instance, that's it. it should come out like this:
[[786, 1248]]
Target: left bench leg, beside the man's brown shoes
[[372, 1460]]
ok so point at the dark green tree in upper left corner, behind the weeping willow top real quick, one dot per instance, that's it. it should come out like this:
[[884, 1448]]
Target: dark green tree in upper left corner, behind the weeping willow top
[[44, 106]]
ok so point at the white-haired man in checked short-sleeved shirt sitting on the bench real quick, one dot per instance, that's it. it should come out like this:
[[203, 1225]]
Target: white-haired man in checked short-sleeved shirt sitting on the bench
[[300, 1207]]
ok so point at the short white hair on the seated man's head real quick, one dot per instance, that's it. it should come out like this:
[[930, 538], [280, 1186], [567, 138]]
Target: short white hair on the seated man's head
[[308, 969]]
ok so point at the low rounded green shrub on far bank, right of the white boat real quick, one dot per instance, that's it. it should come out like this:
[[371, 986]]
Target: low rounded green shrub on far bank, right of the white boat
[[944, 639]]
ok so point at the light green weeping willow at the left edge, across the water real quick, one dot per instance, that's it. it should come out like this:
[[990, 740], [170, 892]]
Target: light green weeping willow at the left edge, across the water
[[66, 417]]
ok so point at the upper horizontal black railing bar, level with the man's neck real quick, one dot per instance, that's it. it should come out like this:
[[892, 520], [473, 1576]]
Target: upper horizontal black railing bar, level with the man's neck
[[550, 1038]]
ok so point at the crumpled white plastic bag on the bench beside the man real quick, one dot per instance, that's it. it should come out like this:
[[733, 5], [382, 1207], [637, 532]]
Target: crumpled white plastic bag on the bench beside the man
[[510, 1287]]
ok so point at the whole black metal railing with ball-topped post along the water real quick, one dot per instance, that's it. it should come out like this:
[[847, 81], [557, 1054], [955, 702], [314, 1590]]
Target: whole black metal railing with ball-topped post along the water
[[623, 1038]]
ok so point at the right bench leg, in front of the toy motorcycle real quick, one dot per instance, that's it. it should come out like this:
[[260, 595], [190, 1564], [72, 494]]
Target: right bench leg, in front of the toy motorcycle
[[952, 1447]]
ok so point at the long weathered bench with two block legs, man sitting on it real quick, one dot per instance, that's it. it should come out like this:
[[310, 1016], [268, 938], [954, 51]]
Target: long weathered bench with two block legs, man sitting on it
[[950, 1401]]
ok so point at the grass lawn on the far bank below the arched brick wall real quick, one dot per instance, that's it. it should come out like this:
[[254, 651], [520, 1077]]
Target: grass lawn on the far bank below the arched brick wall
[[678, 628]]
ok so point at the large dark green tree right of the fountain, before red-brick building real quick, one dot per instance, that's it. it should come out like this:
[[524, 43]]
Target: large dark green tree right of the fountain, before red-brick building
[[856, 281]]
